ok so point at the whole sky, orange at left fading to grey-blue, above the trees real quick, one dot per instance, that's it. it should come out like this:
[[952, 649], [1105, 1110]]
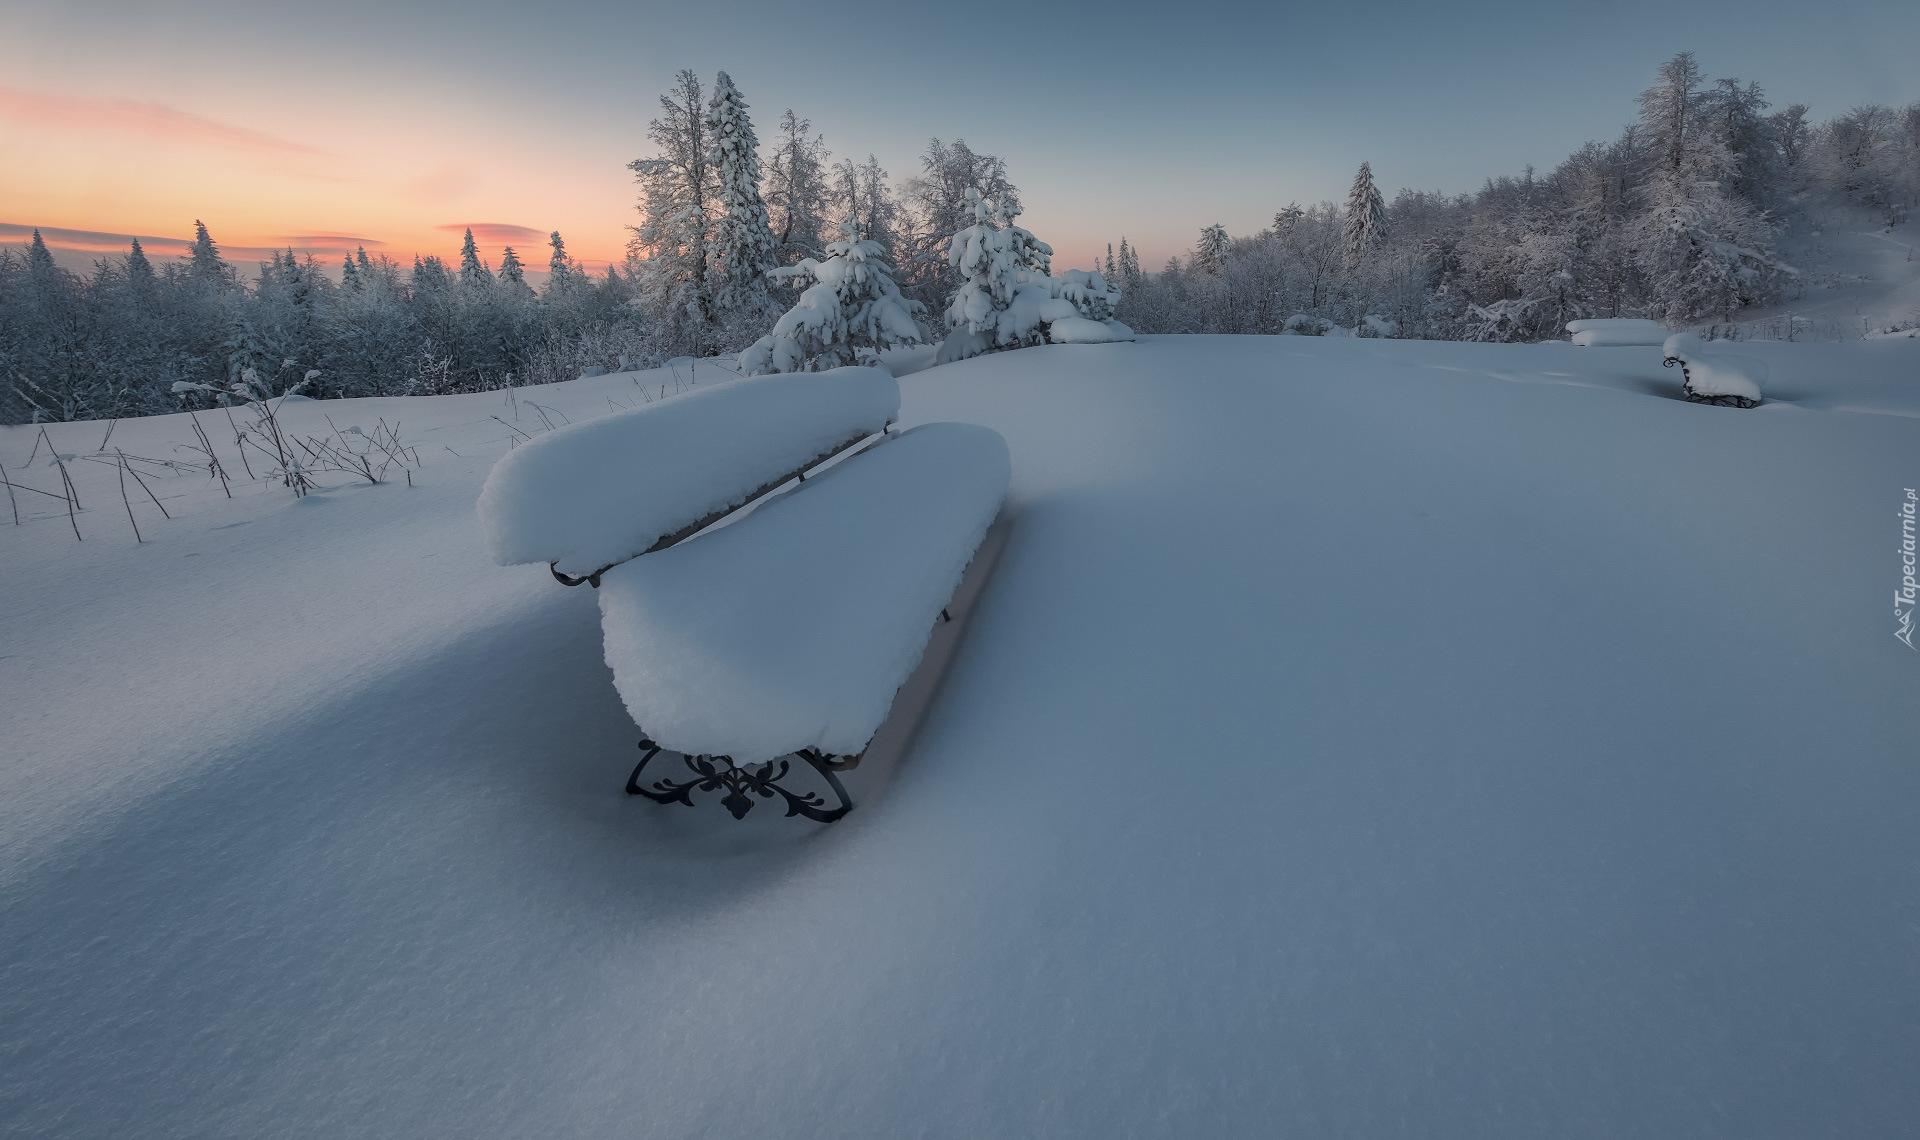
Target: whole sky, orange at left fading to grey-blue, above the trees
[[398, 126]]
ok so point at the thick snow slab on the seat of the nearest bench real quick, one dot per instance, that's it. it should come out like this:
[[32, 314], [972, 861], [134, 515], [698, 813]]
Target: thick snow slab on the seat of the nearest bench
[[796, 627]]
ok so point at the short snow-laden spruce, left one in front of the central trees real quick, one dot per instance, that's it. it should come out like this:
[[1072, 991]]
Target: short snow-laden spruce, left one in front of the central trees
[[850, 314]]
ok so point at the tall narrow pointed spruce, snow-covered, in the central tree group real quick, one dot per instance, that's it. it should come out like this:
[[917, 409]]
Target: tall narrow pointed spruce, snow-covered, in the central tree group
[[744, 239]]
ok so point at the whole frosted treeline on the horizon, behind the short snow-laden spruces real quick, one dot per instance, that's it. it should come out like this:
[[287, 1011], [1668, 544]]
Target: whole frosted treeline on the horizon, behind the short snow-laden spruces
[[1675, 220]]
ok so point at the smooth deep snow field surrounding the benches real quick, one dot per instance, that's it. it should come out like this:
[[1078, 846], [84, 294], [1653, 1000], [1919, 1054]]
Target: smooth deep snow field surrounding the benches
[[1356, 740]]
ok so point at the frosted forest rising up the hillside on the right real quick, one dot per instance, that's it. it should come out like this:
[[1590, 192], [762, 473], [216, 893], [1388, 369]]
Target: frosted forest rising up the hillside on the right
[[1679, 220]]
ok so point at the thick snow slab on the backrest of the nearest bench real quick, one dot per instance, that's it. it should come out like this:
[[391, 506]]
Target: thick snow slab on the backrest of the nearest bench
[[604, 490]]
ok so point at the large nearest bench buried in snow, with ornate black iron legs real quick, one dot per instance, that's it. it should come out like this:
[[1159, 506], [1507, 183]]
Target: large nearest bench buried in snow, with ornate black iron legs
[[790, 630]]
